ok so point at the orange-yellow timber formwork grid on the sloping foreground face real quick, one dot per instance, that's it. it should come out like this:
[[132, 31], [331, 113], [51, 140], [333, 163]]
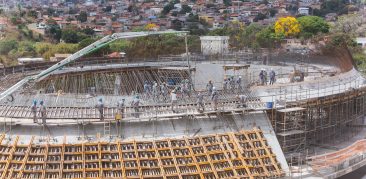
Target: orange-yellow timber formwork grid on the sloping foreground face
[[244, 154]]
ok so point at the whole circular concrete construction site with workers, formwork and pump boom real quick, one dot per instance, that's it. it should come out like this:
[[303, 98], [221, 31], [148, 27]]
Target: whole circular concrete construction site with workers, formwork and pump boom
[[108, 118]]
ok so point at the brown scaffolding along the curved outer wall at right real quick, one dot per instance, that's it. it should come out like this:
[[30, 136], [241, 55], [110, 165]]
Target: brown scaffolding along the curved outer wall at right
[[321, 121]]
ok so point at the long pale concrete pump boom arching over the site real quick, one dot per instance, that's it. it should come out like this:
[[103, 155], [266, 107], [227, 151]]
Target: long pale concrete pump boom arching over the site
[[92, 47]]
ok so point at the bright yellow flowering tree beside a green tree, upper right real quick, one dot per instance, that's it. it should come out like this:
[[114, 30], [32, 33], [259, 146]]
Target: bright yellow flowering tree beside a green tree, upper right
[[288, 26]]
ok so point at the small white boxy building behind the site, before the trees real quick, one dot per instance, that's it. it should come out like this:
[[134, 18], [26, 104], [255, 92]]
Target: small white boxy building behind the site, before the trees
[[212, 45]]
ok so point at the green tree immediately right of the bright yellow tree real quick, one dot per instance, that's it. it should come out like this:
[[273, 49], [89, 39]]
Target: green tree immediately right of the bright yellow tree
[[312, 25]]
